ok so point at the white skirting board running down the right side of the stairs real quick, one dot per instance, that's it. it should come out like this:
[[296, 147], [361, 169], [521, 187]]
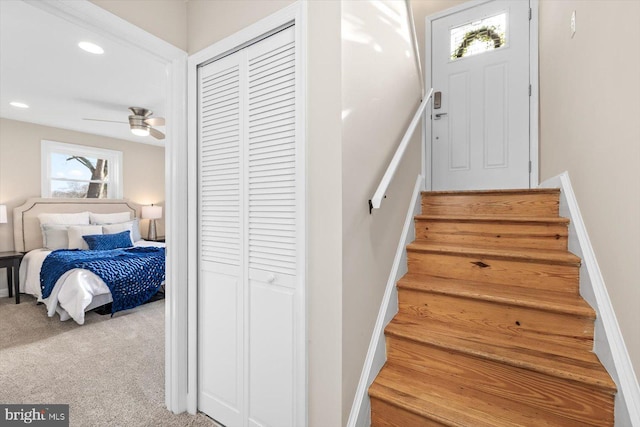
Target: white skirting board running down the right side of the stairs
[[609, 344]]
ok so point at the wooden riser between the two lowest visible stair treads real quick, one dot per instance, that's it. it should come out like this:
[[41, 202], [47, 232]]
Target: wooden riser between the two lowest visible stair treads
[[582, 405]]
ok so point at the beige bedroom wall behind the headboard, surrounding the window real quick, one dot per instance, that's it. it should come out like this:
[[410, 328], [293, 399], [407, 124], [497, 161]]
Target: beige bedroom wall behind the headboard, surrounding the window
[[143, 170]]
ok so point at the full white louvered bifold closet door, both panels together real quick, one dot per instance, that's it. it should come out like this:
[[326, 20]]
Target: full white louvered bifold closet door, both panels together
[[249, 292]]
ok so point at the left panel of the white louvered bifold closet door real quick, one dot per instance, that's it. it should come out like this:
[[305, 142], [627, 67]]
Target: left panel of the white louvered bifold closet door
[[221, 235]]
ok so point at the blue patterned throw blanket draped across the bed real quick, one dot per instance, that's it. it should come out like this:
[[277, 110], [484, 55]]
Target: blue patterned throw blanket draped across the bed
[[133, 275]]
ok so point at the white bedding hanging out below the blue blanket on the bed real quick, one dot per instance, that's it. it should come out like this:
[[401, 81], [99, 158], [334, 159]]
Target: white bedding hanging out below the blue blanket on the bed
[[74, 293]]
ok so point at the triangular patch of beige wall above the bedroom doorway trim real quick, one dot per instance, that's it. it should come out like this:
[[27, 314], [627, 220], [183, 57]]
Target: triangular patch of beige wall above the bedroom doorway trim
[[166, 19]]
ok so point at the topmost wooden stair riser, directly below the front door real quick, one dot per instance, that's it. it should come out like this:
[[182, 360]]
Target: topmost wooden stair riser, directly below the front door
[[502, 204]]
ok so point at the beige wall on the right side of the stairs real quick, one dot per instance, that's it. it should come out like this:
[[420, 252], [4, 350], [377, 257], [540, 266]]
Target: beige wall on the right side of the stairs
[[590, 127]]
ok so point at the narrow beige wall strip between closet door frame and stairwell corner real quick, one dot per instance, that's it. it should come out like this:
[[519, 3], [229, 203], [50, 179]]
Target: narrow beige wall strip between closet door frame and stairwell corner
[[324, 215]]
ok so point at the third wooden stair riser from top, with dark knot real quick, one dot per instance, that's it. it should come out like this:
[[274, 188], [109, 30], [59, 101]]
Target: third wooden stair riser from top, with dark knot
[[561, 278]]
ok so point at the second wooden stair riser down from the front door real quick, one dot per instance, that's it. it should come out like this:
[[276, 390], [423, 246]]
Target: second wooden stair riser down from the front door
[[493, 235]]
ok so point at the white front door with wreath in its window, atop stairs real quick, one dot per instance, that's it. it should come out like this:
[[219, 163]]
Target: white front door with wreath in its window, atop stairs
[[480, 116]]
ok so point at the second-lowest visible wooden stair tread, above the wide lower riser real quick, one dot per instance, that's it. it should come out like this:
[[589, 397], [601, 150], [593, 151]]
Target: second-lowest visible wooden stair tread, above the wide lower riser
[[545, 357]]
